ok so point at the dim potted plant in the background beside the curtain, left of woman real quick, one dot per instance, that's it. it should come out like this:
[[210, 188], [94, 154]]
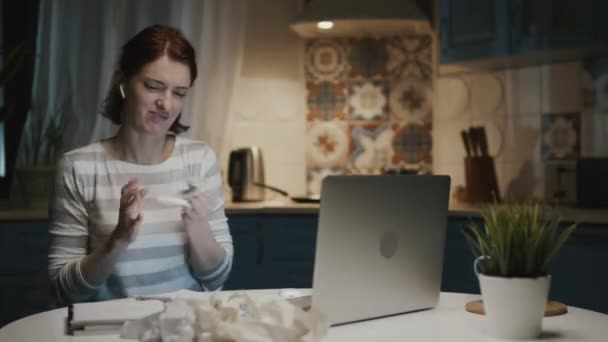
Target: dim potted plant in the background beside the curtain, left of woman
[[41, 146]]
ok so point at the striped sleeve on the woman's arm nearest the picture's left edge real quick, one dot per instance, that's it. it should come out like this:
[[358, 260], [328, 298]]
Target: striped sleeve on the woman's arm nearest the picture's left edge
[[68, 237]]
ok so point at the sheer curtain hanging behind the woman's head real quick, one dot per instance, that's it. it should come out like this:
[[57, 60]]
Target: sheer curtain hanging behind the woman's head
[[78, 46]]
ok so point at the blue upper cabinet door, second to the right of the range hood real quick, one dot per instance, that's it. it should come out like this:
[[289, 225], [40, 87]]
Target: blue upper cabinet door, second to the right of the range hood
[[542, 25]]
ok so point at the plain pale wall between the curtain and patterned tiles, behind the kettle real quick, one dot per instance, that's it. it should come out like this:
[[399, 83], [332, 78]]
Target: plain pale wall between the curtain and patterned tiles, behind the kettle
[[268, 107]]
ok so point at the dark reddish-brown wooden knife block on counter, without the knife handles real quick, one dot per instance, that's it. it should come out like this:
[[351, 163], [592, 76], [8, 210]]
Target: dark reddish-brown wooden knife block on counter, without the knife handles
[[480, 179]]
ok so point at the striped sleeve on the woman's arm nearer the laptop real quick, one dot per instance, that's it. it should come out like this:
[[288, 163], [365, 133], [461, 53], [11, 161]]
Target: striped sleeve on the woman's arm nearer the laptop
[[212, 186]]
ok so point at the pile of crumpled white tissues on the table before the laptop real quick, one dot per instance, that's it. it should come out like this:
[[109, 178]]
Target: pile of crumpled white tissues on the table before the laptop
[[236, 317]]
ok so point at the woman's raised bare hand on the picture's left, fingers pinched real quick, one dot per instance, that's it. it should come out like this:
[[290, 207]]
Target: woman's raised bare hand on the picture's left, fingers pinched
[[129, 216]]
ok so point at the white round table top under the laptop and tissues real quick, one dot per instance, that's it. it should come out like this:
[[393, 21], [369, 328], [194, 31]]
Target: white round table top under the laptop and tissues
[[447, 322]]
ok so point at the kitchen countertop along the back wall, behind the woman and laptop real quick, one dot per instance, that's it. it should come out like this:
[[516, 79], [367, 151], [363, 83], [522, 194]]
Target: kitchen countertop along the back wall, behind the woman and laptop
[[284, 206]]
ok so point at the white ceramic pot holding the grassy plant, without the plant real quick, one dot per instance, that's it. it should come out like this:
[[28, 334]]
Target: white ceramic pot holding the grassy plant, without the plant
[[514, 307]]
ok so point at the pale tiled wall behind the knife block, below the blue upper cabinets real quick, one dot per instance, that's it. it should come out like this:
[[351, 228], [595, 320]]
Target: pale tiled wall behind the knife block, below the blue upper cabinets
[[510, 104]]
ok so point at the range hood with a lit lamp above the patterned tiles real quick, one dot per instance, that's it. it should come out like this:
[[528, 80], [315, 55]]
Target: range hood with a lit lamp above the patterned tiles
[[353, 18]]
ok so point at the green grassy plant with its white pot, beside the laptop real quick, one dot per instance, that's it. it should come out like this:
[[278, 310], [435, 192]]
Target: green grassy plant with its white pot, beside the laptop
[[514, 248]]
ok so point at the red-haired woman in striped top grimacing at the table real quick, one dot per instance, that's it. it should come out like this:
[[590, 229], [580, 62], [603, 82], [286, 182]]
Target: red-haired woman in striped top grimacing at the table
[[111, 234]]
